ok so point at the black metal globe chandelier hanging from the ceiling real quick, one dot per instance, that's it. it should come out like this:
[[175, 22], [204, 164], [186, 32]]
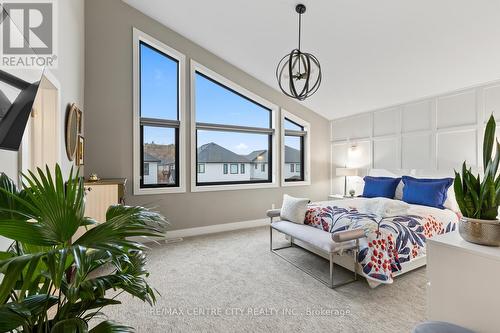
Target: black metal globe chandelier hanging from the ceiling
[[299, 73]]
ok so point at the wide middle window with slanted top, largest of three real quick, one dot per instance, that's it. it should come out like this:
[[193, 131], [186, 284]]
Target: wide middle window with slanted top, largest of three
[[234, 128]]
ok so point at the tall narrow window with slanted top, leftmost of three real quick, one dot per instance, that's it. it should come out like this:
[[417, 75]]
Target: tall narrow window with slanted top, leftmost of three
[[158, 115]]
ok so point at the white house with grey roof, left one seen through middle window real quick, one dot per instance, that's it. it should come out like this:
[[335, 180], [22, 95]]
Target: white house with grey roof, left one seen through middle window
[[218, 164]]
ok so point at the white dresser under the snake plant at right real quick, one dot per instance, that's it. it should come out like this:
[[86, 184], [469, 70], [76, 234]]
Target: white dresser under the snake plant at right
[[463, 283]]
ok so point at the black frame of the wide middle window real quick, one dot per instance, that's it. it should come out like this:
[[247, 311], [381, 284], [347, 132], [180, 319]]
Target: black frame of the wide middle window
[[237, 129]]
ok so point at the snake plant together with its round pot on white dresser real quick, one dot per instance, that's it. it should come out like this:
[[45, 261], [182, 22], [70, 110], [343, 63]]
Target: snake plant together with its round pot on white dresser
[[479, 199]]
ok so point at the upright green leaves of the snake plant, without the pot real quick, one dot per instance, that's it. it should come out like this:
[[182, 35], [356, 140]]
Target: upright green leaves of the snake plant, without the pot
[[479, 199]]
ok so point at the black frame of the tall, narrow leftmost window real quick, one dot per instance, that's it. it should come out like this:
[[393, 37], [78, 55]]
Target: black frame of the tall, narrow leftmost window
[[161, 123]]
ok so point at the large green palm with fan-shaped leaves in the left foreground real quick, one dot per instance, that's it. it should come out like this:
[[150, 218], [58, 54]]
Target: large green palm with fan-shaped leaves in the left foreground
[[53, 283]]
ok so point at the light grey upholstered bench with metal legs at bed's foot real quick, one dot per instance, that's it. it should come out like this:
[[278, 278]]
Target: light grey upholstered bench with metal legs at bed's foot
[[322, 241]]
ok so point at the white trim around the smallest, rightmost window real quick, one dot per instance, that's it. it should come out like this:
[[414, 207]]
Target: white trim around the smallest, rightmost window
[[306, 146]]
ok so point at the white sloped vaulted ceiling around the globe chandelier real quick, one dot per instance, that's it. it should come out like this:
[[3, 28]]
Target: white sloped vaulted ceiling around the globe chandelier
[[373, 53]]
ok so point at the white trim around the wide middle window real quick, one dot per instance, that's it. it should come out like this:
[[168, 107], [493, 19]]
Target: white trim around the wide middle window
[[197, 67]]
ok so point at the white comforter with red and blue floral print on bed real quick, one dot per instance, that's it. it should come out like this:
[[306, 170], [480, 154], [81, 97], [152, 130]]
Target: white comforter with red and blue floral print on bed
[[394, 236]]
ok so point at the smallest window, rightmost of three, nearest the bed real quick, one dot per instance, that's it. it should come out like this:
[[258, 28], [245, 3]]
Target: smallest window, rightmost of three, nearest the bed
[[294, 151]]
